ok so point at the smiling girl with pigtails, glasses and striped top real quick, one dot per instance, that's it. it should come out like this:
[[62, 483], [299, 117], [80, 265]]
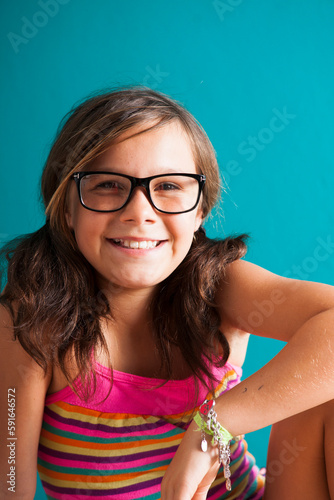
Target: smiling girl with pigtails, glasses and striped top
[[120, 317]]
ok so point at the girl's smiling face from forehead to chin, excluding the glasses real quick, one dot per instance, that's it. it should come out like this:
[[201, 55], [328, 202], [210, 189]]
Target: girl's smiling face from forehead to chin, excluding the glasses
[[103, 238]]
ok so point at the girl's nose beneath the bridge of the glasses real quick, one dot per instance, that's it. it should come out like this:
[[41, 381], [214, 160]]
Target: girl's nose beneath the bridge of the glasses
[[139, 208]]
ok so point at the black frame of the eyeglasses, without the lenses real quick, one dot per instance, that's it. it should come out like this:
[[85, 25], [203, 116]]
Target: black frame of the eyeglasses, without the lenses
[[139, 182]]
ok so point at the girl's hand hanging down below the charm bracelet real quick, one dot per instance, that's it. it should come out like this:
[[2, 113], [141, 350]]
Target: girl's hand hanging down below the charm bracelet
[[191, 472]]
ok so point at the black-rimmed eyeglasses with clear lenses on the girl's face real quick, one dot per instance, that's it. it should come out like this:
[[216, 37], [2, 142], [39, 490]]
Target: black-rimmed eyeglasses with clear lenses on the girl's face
[[168, 193]]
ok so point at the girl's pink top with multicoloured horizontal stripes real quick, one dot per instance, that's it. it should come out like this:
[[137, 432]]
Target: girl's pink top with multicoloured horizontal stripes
[[121, 447]]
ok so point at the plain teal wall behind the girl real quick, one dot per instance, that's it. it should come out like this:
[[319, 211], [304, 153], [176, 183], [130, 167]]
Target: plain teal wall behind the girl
[[235, 65]]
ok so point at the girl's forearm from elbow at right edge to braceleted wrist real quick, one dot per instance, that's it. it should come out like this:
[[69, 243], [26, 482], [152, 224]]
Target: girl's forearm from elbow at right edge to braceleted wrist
[[300, 377]]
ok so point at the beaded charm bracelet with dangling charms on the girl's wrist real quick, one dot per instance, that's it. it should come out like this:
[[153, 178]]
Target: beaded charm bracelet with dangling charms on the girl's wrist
[[206, 419]]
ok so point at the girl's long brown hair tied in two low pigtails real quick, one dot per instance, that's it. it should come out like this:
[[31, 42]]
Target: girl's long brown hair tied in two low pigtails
[[51, 289]]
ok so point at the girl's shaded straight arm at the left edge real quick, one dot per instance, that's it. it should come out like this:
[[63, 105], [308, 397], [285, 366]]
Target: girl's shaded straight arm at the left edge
[[20, 373]]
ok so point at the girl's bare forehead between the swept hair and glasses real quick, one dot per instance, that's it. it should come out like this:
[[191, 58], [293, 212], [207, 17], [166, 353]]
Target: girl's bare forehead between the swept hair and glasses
[[153, 151]]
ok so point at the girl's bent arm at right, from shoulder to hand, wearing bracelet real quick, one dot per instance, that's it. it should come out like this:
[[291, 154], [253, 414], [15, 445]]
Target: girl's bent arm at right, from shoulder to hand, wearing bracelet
[[301, 376]]
